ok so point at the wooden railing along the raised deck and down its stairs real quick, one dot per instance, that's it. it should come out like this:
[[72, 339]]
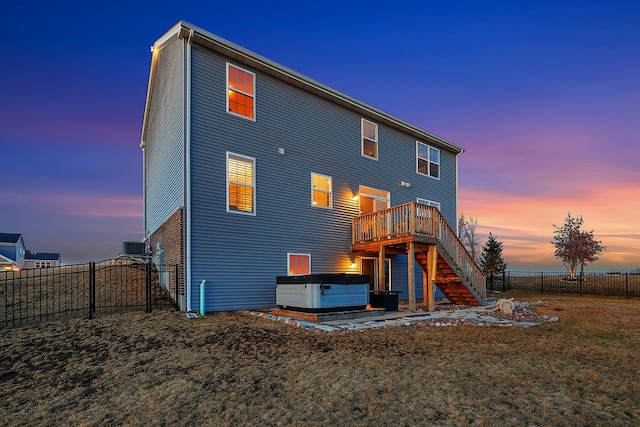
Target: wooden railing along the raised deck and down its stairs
[[414, 219]]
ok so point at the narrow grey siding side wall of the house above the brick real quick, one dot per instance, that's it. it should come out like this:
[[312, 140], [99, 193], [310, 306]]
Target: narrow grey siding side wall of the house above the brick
[[164, 145]]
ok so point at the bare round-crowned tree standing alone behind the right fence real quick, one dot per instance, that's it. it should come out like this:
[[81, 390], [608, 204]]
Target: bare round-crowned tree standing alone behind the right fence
[[575, 247]]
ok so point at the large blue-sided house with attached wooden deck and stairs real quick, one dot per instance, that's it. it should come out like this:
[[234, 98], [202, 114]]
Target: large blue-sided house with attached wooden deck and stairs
[[253, 171]]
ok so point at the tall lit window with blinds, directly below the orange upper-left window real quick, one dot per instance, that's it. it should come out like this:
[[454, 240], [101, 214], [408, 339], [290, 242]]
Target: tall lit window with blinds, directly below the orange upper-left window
[[241, 184]]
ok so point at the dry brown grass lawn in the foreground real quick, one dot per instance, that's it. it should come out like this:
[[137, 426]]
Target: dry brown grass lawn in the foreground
[[233, 369]]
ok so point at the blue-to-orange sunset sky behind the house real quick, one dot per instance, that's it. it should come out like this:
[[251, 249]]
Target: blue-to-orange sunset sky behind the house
[[544, 95]]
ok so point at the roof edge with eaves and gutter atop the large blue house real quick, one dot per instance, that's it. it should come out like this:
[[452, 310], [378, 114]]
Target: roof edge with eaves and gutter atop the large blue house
[[193, 34]]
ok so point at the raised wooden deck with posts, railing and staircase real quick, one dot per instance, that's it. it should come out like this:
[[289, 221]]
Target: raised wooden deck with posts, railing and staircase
[[423, 234]]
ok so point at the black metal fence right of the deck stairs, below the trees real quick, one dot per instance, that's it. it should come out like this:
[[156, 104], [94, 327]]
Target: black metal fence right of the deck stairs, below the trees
[[602, 284]]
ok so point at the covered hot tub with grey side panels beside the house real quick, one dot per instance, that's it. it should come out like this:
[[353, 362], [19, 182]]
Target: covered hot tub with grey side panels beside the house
[[318, 293]]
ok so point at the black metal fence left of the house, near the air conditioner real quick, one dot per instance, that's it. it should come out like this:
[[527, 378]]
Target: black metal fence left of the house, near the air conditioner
[[86, 290]]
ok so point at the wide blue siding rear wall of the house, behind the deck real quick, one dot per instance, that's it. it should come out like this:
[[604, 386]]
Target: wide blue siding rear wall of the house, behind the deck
[[240, 256]]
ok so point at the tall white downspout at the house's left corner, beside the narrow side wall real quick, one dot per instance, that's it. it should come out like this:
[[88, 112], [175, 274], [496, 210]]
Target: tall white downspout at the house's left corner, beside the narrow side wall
[[187, 177]]
